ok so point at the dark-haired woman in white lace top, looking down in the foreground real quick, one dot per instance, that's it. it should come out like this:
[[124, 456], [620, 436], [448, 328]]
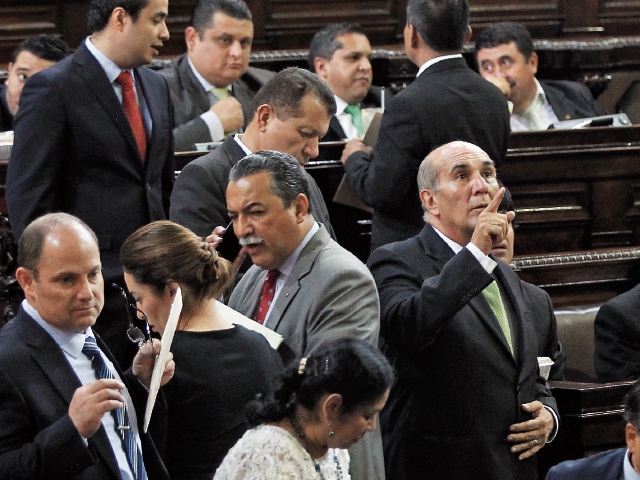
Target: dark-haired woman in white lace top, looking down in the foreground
[[325, 404]]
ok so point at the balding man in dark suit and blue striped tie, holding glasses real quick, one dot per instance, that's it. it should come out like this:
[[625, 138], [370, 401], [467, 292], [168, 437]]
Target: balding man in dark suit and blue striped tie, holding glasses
[[59, 417]]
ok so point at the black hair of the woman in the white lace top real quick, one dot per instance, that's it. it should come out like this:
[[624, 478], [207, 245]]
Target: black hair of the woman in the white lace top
[[350, 367]]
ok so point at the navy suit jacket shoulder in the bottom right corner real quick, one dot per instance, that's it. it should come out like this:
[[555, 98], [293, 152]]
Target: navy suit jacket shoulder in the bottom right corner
[[603, 466]]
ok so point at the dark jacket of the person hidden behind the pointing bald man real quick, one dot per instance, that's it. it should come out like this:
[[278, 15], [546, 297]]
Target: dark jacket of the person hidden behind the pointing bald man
[[538, 306]]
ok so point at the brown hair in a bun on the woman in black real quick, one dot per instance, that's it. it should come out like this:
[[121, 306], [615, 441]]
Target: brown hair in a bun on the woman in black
[[163, 251]]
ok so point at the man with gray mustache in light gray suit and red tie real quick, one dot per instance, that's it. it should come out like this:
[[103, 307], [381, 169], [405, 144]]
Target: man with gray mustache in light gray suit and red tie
[[303, 285]]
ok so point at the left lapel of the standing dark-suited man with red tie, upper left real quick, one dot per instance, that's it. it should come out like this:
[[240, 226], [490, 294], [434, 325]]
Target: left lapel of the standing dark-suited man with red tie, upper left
[[97, 82]]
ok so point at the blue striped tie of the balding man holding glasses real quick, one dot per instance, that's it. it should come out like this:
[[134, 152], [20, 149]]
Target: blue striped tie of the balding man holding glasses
[[123, 425]]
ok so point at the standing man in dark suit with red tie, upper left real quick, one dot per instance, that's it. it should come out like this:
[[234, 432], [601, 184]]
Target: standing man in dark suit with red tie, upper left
[[77, 150]]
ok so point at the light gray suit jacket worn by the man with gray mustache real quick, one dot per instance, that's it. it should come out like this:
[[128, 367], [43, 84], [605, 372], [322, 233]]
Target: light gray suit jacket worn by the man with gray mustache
[[330, 294]]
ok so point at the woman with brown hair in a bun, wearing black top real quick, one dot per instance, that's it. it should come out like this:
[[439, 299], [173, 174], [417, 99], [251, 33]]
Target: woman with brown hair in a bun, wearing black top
[[220, 367]]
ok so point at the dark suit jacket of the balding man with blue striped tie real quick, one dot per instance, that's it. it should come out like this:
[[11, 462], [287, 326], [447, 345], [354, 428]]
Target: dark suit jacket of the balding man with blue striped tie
[[37, 437]]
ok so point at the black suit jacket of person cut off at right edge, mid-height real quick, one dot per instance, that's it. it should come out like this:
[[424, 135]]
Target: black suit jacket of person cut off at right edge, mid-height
[[617, 338]]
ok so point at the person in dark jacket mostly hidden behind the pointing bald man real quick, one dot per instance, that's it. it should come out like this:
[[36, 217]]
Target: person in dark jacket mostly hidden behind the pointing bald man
[[537, 301]]
